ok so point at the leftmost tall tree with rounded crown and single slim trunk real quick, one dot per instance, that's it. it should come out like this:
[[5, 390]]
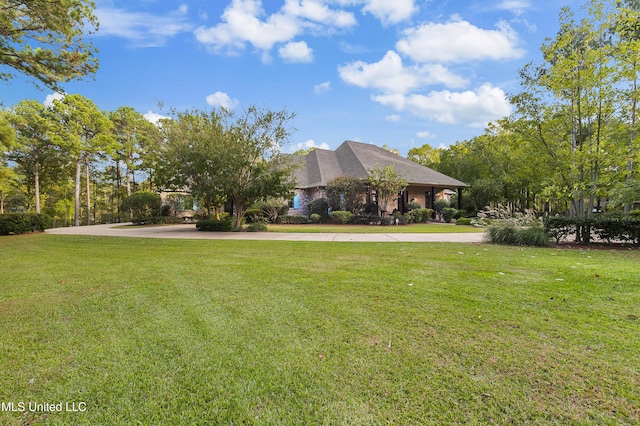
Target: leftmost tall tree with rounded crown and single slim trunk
[[35, 146]]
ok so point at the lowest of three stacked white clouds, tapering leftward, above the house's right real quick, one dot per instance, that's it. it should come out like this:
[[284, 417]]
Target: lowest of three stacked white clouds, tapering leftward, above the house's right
[[471, 108]]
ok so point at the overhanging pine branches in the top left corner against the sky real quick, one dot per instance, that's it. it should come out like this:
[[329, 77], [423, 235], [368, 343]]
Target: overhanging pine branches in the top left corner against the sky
[[45, 40]]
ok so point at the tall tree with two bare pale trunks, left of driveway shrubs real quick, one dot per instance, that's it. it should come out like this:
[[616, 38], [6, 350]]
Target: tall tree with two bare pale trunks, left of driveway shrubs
[[85, 131]]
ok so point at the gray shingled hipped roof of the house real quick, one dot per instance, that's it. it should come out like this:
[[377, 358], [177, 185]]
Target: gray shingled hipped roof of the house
[[355, 159]]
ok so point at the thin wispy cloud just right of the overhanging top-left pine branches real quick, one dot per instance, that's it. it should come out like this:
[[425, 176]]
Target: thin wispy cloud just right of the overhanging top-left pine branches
[[142, 29]]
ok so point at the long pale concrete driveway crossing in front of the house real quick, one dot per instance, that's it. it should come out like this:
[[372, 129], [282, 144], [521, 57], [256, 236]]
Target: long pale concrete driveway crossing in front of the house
[[190, 232]]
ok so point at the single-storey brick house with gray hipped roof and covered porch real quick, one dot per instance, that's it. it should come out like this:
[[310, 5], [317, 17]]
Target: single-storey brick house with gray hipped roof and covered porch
[[355, 159]]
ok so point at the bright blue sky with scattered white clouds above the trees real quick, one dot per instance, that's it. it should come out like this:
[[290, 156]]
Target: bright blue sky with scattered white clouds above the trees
[[400, 73]]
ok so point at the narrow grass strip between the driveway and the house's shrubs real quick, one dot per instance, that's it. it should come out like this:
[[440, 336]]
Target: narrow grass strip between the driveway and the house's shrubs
[[422, 228]]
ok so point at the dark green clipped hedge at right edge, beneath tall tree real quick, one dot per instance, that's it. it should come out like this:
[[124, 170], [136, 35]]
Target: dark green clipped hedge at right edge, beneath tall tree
[[603, 228]]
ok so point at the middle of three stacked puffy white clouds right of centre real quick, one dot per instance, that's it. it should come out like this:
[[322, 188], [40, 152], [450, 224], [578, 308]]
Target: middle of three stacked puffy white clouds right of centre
[[391, 76]]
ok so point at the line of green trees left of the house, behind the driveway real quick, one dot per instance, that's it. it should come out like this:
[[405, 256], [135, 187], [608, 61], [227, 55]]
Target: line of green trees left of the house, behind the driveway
[[72, 161]]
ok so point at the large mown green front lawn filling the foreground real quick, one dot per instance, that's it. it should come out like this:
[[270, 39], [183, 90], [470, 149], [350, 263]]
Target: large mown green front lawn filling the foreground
[[257, 332]]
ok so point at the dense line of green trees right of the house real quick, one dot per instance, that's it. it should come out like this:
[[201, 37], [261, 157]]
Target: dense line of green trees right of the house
[[571, 146]]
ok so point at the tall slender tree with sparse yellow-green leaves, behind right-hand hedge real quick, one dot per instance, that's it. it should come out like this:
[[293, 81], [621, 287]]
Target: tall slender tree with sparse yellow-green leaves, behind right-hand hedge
[[574, 85]]
